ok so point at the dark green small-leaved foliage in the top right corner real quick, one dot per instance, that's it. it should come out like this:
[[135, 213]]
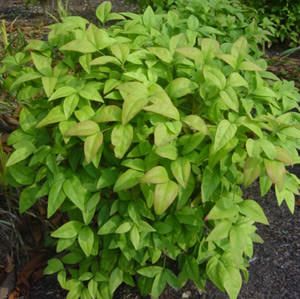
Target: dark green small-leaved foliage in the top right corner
[[283, 17]]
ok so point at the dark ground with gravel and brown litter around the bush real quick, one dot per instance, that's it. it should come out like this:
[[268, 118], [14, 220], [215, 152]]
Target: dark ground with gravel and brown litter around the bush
[[274, 270]]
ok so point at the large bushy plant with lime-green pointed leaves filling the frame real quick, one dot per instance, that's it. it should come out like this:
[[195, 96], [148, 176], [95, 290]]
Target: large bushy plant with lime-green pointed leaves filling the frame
[[142, 135]]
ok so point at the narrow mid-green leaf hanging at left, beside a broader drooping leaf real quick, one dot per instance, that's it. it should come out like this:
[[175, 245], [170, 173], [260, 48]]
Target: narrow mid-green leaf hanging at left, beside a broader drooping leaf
[[56, 195]]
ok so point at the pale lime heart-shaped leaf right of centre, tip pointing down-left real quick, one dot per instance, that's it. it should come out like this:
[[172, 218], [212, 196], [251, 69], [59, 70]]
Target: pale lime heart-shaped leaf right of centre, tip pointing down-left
[[225, 132]]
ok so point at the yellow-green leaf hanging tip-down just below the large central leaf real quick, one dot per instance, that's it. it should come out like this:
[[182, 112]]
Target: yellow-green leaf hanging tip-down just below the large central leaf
[[121, 139]]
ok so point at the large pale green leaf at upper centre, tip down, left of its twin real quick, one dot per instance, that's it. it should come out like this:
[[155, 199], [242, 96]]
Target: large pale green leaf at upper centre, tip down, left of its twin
[[135, 95]]
